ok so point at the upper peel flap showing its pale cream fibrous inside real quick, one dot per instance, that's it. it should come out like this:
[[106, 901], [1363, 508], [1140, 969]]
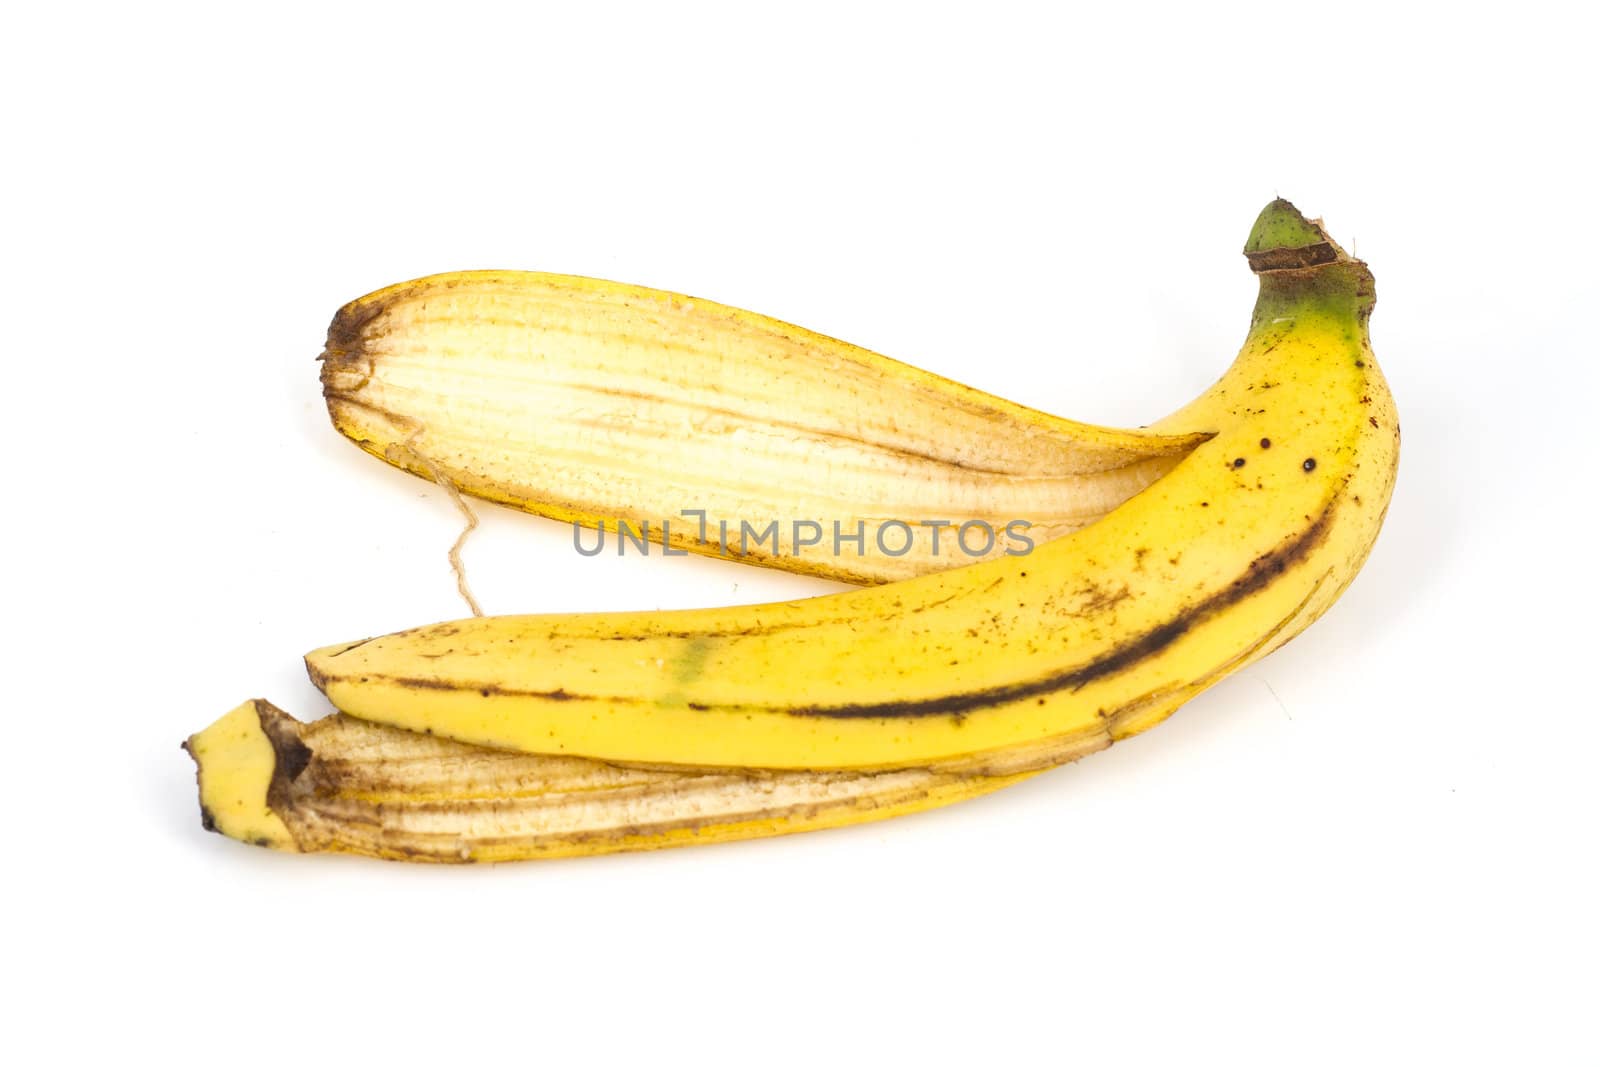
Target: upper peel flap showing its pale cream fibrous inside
[[711, 430]]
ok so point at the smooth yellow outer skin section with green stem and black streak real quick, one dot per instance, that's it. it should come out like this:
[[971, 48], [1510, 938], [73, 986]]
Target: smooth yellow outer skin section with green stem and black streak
[[1015, 663]]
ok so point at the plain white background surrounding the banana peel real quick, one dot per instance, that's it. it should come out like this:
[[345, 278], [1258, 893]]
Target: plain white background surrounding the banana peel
[[1375, 847]]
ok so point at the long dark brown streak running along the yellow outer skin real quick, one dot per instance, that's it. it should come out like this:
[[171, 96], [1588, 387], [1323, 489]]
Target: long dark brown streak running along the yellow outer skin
[[1258, 577]]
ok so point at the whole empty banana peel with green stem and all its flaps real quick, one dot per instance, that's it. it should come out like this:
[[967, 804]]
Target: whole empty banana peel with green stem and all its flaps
[[778, 717]]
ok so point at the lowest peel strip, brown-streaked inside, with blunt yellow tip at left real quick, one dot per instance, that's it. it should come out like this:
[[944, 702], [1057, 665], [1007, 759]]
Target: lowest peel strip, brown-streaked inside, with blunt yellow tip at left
[[346, 786]]
